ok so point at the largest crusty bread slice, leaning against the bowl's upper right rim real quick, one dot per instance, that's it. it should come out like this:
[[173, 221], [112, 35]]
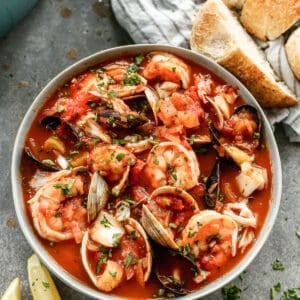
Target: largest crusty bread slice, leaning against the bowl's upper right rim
[[218, 34]]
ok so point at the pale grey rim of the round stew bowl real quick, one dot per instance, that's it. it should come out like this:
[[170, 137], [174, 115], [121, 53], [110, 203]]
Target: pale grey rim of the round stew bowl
[[106, 55]]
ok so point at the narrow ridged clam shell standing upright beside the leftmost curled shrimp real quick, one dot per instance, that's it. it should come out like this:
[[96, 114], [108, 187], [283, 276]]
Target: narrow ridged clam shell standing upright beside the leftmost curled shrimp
[[97, 196]]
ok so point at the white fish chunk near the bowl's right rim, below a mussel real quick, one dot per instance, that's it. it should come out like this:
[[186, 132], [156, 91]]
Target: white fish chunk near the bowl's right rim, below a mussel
[[251, 178]]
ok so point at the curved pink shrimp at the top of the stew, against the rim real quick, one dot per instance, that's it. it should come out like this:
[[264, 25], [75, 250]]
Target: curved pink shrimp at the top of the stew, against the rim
[[167, 67]]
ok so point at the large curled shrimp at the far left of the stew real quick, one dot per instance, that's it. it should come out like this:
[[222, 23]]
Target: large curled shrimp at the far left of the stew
[[56, 209]]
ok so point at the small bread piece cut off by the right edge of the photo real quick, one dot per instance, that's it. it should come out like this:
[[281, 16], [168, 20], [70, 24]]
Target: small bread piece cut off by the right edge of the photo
[[292, 49]]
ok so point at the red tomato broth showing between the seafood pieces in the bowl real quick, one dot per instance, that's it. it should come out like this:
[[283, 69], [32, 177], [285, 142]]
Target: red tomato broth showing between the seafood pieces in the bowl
[[67, 253]]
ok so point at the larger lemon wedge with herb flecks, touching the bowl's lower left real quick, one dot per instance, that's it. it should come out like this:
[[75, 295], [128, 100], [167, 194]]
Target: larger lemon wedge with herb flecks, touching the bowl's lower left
[[40, 281]]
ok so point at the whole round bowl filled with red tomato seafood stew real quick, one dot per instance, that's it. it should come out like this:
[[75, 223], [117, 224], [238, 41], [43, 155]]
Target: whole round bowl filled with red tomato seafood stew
[[146, 171]]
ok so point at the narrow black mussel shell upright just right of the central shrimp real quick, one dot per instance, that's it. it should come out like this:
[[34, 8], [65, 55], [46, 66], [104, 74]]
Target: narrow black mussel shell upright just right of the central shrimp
[[212, 186]]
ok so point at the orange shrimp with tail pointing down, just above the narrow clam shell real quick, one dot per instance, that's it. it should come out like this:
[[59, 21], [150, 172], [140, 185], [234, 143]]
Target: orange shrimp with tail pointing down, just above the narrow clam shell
[[113, 162]]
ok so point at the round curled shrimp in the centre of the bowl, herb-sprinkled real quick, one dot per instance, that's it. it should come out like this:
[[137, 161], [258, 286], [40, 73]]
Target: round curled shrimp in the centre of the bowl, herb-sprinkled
[[172, 164]]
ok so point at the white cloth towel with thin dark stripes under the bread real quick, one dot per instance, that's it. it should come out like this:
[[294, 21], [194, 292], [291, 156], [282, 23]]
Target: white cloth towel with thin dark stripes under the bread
[[170, 22]]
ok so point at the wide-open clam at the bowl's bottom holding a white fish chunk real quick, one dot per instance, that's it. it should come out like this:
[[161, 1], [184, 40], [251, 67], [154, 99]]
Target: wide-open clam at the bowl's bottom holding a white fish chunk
[[107, 230]]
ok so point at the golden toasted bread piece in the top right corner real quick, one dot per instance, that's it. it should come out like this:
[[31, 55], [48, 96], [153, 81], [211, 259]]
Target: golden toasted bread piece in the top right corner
[[268, 19]]
